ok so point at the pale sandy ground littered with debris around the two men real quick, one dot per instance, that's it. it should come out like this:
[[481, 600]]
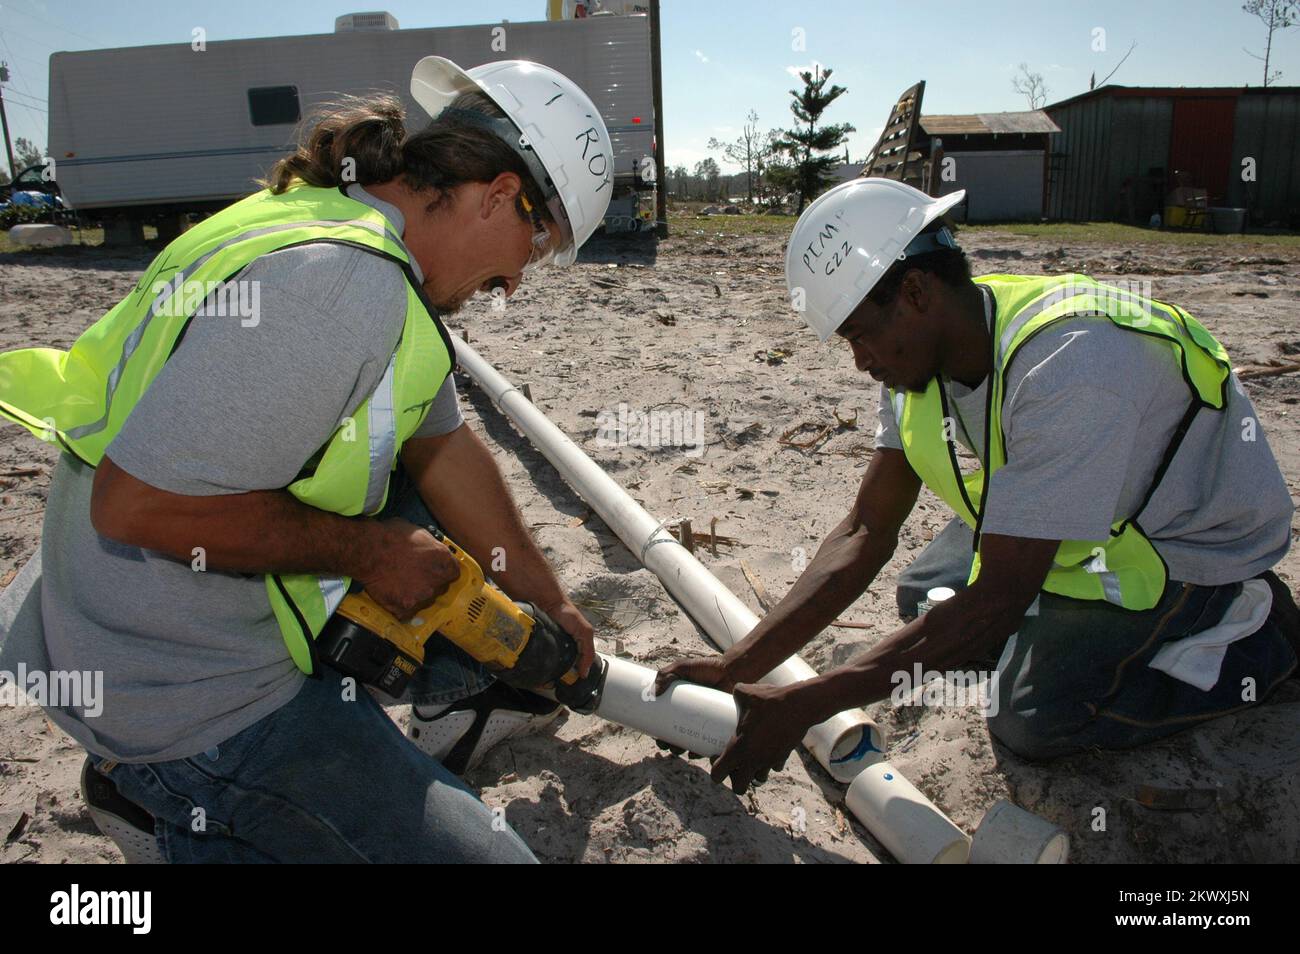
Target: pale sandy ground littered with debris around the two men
[[701, 326]]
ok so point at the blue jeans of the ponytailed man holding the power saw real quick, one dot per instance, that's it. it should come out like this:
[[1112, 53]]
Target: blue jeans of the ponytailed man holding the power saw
[[328, 778]]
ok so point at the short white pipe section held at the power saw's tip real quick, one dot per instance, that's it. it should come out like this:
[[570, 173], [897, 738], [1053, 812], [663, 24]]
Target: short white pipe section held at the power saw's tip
[[696, 718]]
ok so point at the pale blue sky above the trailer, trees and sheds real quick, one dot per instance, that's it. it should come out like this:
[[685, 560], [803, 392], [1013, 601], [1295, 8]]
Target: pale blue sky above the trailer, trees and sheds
[[723, 59]]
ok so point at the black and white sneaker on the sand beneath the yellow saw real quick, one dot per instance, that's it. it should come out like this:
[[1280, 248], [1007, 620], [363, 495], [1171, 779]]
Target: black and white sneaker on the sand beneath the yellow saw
[[462, 734]]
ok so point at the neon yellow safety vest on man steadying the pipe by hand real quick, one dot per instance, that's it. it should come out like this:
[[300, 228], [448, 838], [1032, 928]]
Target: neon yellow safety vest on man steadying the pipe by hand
[[1124, 570]]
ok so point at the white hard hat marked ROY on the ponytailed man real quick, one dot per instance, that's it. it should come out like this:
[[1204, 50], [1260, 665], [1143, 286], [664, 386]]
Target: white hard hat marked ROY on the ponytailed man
[[558, 133]]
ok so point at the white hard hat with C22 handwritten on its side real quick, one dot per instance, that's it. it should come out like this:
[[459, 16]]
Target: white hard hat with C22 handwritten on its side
[[847, 240]]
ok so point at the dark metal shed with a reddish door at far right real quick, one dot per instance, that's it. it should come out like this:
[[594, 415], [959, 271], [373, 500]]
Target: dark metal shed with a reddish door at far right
[[1120, 150]]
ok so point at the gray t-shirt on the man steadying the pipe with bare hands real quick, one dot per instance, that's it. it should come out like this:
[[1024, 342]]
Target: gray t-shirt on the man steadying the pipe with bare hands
[[1090, 413]]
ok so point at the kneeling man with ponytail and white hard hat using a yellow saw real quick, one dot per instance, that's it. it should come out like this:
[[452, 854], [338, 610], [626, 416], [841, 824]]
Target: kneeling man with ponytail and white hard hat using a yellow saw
[[223, 482]]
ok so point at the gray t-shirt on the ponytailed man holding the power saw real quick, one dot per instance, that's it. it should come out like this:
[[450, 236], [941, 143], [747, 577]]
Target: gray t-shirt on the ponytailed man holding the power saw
[[192, 658]]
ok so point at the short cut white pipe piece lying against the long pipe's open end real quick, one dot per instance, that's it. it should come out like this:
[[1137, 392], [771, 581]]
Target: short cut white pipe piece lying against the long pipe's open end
[[904, 821]]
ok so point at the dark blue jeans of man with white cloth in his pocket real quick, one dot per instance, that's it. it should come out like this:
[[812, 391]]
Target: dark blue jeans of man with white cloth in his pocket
[[1076, 675]]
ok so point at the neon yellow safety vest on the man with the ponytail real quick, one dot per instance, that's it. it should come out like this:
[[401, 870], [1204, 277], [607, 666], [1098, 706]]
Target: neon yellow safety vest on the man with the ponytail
[[83, 397]]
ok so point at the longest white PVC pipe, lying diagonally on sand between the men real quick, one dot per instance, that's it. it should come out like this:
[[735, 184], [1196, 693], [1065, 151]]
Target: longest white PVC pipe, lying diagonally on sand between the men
[[846, 743]]
